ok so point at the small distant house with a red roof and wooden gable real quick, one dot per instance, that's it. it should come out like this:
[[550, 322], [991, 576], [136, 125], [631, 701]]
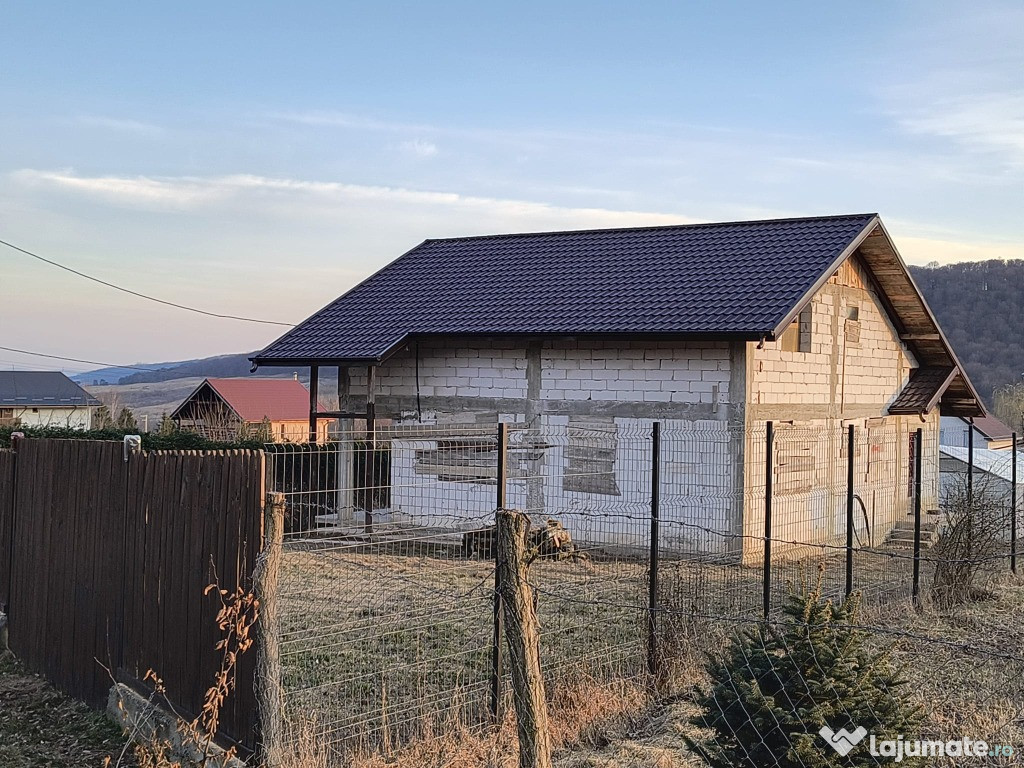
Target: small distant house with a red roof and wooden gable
[[230, 409]]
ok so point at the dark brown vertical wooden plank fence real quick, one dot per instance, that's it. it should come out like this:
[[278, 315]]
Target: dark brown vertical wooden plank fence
[[111, 559]]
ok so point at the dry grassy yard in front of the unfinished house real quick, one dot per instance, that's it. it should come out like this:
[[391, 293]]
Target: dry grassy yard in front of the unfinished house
[[383, 643]]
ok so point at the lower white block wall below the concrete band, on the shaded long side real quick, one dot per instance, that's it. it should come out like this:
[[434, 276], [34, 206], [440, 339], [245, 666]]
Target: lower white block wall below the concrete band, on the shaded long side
[[700, 501]]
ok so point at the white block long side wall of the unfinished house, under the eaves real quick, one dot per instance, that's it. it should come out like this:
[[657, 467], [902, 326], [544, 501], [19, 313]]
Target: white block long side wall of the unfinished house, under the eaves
[[700, 501]]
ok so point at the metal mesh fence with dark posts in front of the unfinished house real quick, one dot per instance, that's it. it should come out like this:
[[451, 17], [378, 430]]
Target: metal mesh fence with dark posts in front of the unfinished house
[[388, 594]]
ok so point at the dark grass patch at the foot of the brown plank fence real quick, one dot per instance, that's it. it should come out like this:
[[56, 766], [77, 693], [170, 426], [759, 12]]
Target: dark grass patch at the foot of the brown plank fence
[[41, 728]]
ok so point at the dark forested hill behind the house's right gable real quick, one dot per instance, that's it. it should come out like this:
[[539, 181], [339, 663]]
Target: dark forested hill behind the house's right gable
[[980, 307]]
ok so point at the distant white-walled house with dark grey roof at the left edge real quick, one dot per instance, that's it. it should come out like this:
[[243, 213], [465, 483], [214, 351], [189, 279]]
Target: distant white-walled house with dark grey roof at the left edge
[[45, 399]]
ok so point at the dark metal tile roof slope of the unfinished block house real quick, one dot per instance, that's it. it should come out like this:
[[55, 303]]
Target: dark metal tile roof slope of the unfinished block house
[[736, 280]]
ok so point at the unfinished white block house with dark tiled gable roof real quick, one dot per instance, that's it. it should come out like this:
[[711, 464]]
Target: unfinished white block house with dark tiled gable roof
[[588, 337]]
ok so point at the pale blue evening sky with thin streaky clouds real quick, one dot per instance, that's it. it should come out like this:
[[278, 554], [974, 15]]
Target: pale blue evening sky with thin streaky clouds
[[261, 159]]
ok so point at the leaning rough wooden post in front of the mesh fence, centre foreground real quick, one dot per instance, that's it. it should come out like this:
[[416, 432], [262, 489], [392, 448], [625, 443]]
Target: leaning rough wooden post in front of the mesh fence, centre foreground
[[523, 634]]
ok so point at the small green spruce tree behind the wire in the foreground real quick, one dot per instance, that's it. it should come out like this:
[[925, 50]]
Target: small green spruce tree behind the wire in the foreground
[[776, 687]]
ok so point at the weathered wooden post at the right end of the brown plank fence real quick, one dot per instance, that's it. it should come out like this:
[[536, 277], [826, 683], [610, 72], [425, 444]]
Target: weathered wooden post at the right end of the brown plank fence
[[270, 694]]
